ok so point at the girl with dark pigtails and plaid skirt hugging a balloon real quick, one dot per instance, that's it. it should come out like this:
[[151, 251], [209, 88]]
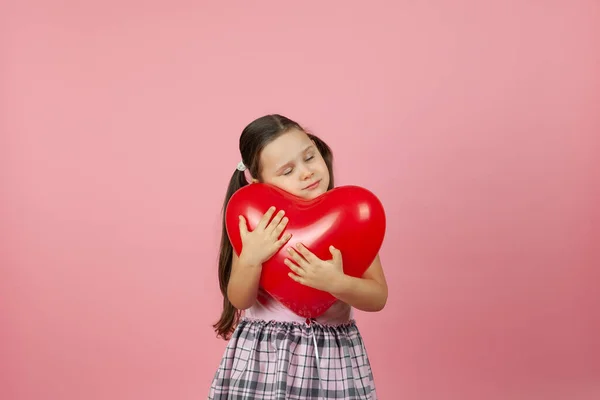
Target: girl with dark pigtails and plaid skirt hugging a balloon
[[272, 352]]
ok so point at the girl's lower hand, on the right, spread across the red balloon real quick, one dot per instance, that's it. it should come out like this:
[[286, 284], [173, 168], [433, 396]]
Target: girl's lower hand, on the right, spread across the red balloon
[[310, 270]]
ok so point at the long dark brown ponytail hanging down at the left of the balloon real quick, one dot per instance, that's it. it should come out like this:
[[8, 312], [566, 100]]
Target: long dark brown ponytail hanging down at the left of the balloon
[[230, 315]]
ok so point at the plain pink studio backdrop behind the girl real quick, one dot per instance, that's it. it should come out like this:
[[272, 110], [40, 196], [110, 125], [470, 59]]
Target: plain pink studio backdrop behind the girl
[[477, 126]]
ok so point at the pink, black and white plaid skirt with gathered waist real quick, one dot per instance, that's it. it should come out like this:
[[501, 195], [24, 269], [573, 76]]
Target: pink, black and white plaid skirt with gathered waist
[[277, 360]]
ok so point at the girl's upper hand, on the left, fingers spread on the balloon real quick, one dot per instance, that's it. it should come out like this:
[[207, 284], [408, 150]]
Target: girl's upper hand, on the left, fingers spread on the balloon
[[264, 241]]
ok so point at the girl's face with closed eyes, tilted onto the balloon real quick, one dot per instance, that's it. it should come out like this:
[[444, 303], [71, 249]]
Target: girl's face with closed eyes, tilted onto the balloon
[[293, 163]]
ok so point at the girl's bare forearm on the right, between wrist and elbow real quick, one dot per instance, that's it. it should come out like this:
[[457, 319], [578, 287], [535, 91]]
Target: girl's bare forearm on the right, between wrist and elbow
[[361, 293]]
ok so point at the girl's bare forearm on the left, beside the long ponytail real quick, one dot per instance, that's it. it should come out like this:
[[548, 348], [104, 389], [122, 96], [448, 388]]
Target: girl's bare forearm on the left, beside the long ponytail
[[243, 283]]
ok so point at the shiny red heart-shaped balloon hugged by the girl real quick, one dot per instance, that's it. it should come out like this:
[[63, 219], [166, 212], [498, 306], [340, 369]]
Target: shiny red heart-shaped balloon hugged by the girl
[[350, 218]]
